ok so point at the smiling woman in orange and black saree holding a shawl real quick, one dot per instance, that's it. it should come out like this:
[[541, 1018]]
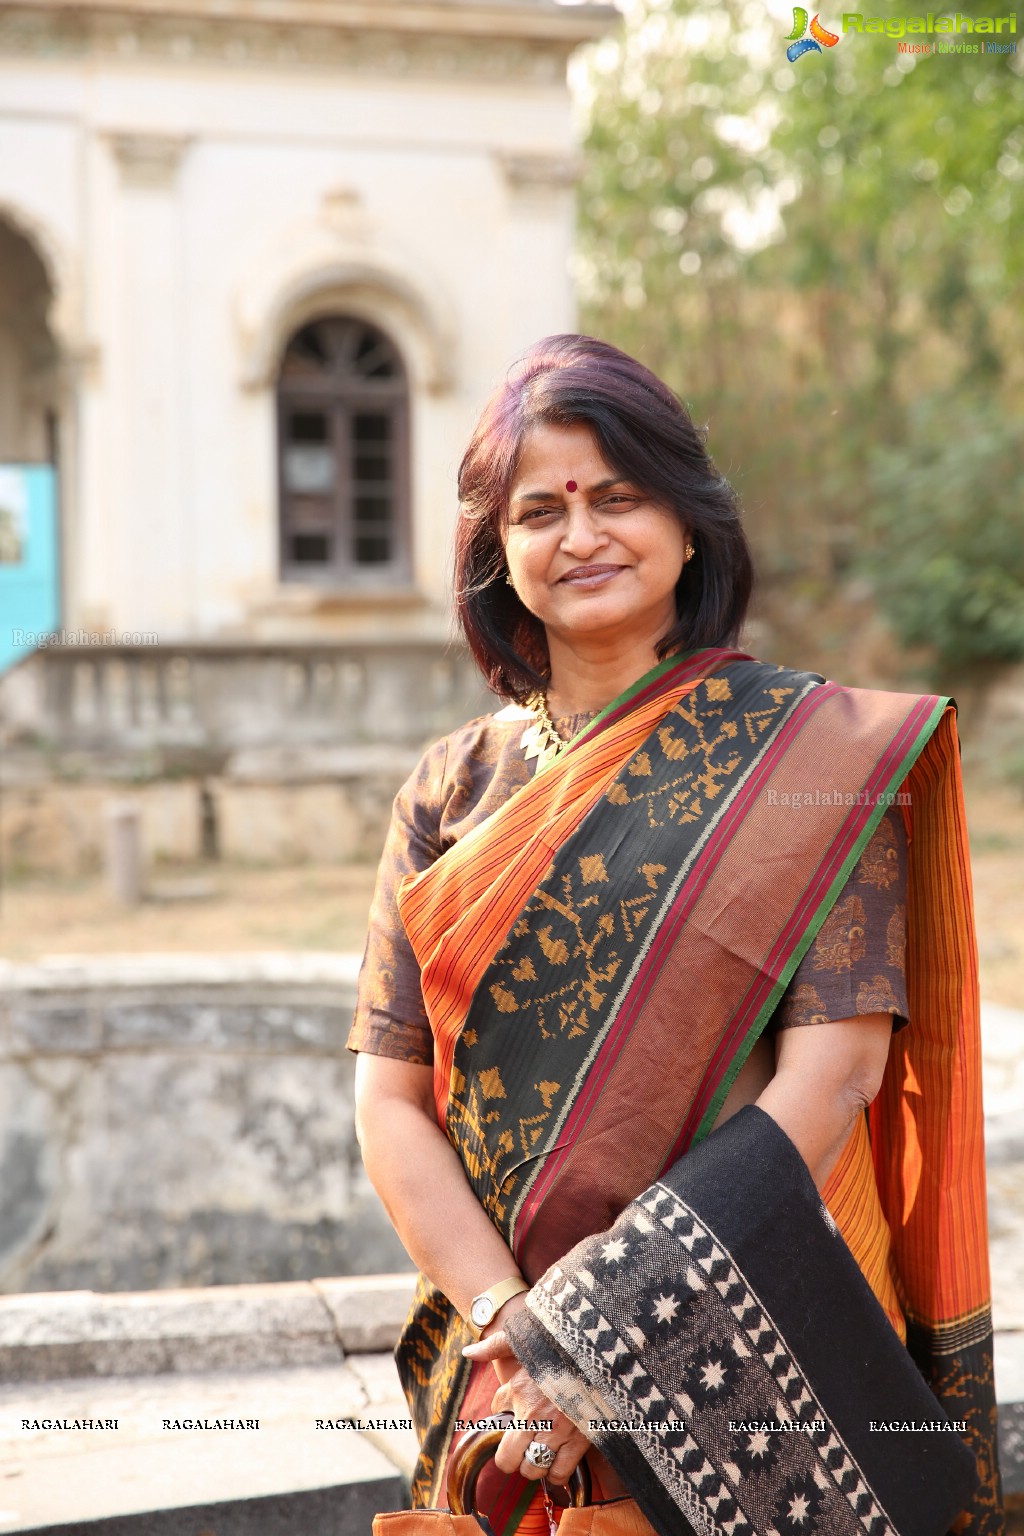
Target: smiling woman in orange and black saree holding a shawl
[[596, 941]]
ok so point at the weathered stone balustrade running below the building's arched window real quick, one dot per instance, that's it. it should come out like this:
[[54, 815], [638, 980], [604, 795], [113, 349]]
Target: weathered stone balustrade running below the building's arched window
[[200, 703]]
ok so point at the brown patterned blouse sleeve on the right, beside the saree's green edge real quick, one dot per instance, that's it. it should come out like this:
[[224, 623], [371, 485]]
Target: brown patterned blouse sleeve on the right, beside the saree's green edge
[[856, 964]]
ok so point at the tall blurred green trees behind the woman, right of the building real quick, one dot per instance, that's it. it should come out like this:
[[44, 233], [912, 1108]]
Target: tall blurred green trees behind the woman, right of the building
[[808, 253]]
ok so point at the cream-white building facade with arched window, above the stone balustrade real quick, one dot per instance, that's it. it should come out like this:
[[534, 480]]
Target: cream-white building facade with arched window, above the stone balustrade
[[260, 263]]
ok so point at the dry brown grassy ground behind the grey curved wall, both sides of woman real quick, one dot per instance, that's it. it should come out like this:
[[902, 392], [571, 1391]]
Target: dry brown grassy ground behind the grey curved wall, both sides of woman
[[325, 907]]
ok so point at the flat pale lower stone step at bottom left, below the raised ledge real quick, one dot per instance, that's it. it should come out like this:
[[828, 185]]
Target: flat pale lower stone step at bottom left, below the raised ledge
[[159, 1474]]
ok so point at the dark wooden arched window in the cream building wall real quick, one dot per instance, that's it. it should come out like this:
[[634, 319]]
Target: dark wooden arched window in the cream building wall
[[343, 448]]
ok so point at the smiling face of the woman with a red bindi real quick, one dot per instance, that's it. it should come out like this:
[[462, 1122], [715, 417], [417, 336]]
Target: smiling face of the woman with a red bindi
[[590, 554]]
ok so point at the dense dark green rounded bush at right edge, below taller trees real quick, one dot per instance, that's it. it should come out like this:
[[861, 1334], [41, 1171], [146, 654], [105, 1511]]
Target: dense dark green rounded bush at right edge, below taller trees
[[948, 557]]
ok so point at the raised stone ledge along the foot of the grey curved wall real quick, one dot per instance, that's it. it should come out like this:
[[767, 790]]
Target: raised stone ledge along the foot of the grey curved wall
[[226, 1328]]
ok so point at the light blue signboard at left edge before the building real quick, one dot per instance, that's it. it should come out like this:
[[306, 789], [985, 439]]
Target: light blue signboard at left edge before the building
[[30, 574]]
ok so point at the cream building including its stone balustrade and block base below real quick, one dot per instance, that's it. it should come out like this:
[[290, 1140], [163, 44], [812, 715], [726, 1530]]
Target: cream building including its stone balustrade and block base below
[[260, 265]]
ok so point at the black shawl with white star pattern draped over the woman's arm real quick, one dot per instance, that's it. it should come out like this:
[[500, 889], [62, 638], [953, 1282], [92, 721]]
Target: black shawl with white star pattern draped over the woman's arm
[[721, 1311]]
